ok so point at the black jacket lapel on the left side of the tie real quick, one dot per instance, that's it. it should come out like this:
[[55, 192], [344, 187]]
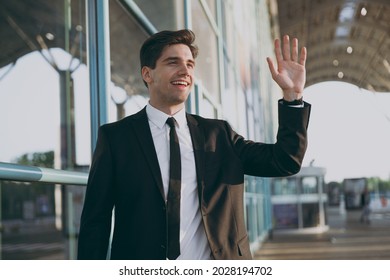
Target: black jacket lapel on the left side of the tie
[[145, 140]]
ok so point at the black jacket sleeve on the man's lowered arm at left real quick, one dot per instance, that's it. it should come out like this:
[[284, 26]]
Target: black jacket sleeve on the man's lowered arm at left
[[95, 225]]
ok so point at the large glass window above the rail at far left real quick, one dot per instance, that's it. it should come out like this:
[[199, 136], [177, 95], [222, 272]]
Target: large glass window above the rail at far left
[[44, 90]]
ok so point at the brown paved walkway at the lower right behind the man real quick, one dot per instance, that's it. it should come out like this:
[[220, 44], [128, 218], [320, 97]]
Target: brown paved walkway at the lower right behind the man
[[346, 238]]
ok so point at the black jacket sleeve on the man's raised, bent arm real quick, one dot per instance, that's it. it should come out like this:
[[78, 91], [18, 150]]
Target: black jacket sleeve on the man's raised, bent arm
[[282, 158]]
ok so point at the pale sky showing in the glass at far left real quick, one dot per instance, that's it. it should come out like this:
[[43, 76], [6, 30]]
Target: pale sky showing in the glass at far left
[[29, 110]]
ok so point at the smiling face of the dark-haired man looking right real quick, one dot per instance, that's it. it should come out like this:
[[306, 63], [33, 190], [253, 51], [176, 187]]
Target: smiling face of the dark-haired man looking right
[[171, 80]]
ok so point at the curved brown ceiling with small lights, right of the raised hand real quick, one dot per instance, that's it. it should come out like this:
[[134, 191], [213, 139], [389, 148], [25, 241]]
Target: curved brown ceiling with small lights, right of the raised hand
[[347, 40]]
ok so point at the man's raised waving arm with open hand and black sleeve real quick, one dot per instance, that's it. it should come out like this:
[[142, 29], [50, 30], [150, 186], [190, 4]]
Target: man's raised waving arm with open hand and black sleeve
[[285, 156]]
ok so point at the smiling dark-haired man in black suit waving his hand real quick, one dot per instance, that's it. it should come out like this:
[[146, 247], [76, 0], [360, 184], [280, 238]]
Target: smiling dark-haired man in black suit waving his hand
[[130, 170]]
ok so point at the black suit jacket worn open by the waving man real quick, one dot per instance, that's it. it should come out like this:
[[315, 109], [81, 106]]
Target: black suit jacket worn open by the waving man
[[125, 173]]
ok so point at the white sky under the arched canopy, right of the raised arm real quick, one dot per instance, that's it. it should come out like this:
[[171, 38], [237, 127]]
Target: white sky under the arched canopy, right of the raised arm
[[349, 131]]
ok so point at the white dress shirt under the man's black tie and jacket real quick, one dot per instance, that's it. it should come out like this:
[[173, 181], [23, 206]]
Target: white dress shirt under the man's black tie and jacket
[[193, 240]]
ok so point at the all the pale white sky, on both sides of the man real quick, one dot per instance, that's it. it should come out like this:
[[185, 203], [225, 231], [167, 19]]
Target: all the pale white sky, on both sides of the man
[[349, 130]]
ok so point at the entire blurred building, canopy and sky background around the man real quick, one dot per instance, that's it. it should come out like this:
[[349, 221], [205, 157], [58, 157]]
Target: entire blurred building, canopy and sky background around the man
[[69, 66]]
